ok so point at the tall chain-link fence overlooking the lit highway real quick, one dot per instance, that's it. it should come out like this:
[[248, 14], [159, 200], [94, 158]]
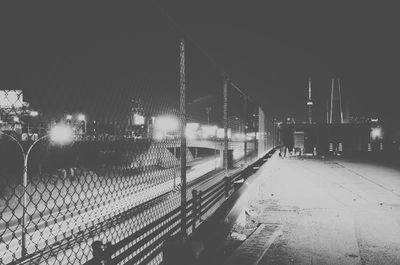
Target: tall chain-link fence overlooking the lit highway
[[104, 156]]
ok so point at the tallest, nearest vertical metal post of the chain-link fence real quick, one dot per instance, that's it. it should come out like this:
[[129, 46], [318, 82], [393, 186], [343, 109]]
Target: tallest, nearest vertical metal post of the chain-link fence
[[183, 137]]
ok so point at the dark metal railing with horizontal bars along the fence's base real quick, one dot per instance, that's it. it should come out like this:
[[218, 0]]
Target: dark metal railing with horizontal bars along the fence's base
[[198, 208]]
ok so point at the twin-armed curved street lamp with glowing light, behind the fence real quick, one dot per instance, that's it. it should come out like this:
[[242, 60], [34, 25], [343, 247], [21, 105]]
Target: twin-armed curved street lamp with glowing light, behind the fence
[[60, 134]]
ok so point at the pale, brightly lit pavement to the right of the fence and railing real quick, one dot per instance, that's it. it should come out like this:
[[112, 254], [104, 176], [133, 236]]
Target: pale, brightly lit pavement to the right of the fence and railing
[[332, 211]]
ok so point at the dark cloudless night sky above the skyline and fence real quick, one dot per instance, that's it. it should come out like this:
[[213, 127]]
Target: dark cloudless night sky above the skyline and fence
[[101, 53]]
